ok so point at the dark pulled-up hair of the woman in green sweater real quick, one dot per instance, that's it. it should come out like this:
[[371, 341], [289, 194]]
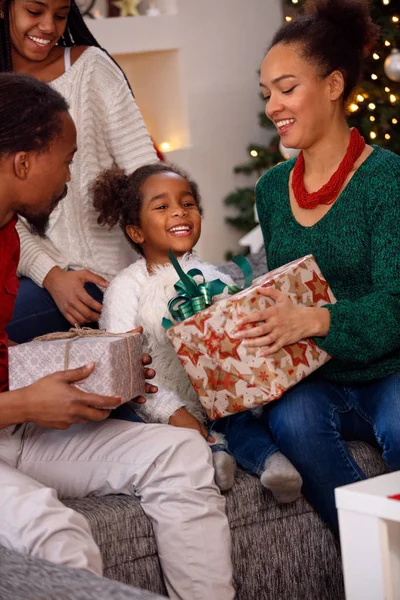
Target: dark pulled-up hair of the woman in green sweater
[[335, 35]]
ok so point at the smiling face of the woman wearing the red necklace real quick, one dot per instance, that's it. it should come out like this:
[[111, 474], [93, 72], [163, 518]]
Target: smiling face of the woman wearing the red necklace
[[299, 102]]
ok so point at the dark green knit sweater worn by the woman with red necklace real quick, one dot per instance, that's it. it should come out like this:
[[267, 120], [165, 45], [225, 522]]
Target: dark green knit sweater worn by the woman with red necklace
[[357, 247]]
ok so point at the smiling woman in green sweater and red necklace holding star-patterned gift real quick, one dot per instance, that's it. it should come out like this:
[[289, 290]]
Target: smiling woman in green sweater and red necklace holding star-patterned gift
[[340, 201]]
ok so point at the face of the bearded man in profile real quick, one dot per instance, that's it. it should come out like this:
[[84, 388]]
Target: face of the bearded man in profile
[[42, 177]]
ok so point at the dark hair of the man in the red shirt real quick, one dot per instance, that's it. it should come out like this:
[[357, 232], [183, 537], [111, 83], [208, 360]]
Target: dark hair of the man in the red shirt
[[30, 114]]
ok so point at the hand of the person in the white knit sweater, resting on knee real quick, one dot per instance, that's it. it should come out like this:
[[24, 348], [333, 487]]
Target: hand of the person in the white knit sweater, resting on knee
[[68, 292]]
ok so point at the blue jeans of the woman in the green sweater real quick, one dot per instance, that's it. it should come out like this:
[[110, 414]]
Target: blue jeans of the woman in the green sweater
[[313, 421]]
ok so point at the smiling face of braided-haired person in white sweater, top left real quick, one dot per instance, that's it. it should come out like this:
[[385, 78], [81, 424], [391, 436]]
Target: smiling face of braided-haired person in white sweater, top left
[[36, 26]]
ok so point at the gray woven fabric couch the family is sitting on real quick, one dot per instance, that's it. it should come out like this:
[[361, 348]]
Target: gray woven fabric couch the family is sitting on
[[280, 552]]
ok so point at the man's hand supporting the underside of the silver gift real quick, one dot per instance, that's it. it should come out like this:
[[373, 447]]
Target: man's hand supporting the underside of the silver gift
[[53, 402]]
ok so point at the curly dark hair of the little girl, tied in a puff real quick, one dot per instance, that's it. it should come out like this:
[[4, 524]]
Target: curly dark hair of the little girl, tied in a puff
[[118, 197]]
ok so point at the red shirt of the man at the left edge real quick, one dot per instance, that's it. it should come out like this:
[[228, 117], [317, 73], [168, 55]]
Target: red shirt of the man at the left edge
[[9, 257]]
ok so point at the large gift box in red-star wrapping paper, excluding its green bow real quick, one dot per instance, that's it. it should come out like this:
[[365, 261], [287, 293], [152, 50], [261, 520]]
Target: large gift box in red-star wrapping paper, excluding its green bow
[[230, 377]]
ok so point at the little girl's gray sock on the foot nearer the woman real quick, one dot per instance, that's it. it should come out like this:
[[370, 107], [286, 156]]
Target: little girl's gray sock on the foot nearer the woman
[[281, 477]]
